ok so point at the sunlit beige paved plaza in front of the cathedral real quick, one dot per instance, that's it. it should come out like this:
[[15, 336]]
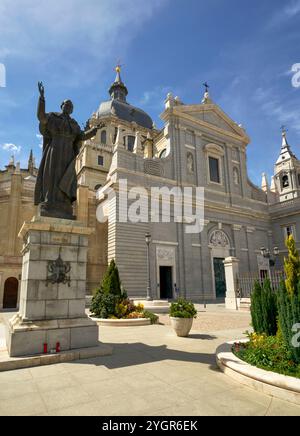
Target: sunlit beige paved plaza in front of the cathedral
[[151, 372]]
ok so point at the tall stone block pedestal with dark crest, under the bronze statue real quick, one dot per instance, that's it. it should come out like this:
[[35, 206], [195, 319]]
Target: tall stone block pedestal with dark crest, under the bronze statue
[[53, 288]]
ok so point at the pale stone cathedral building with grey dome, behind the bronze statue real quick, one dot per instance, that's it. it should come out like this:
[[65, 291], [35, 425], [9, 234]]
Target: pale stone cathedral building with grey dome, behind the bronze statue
[[199, 146]]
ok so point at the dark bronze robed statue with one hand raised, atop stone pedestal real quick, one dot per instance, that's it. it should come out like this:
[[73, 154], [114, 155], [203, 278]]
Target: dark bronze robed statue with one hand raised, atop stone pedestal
[[56, 185]]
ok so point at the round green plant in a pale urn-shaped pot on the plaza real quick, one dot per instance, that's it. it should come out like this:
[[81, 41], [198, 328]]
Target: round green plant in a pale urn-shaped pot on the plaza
[[182, 314]]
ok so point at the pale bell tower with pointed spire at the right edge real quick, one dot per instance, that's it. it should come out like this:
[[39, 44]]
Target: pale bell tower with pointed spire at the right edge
[[287, 172]]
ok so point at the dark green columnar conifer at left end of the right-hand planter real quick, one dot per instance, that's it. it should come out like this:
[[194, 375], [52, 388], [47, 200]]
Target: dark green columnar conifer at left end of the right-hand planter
[[264, 310]]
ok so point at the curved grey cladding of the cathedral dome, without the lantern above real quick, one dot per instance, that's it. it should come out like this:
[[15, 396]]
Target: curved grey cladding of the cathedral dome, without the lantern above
[[125, 112]]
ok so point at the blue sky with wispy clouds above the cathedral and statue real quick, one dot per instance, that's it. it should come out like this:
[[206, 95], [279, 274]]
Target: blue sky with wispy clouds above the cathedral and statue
[[245, 50]]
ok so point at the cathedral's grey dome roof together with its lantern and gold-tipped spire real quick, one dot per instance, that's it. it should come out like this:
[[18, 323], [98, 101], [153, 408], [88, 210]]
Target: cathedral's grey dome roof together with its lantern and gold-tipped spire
[[119, 107]]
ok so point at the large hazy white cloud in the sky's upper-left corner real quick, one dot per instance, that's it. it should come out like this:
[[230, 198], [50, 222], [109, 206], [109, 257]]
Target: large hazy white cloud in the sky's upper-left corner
[[62, 33]]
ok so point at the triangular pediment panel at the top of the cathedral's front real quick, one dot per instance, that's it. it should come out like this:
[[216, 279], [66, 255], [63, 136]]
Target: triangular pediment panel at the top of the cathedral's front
[[213, 115]]
